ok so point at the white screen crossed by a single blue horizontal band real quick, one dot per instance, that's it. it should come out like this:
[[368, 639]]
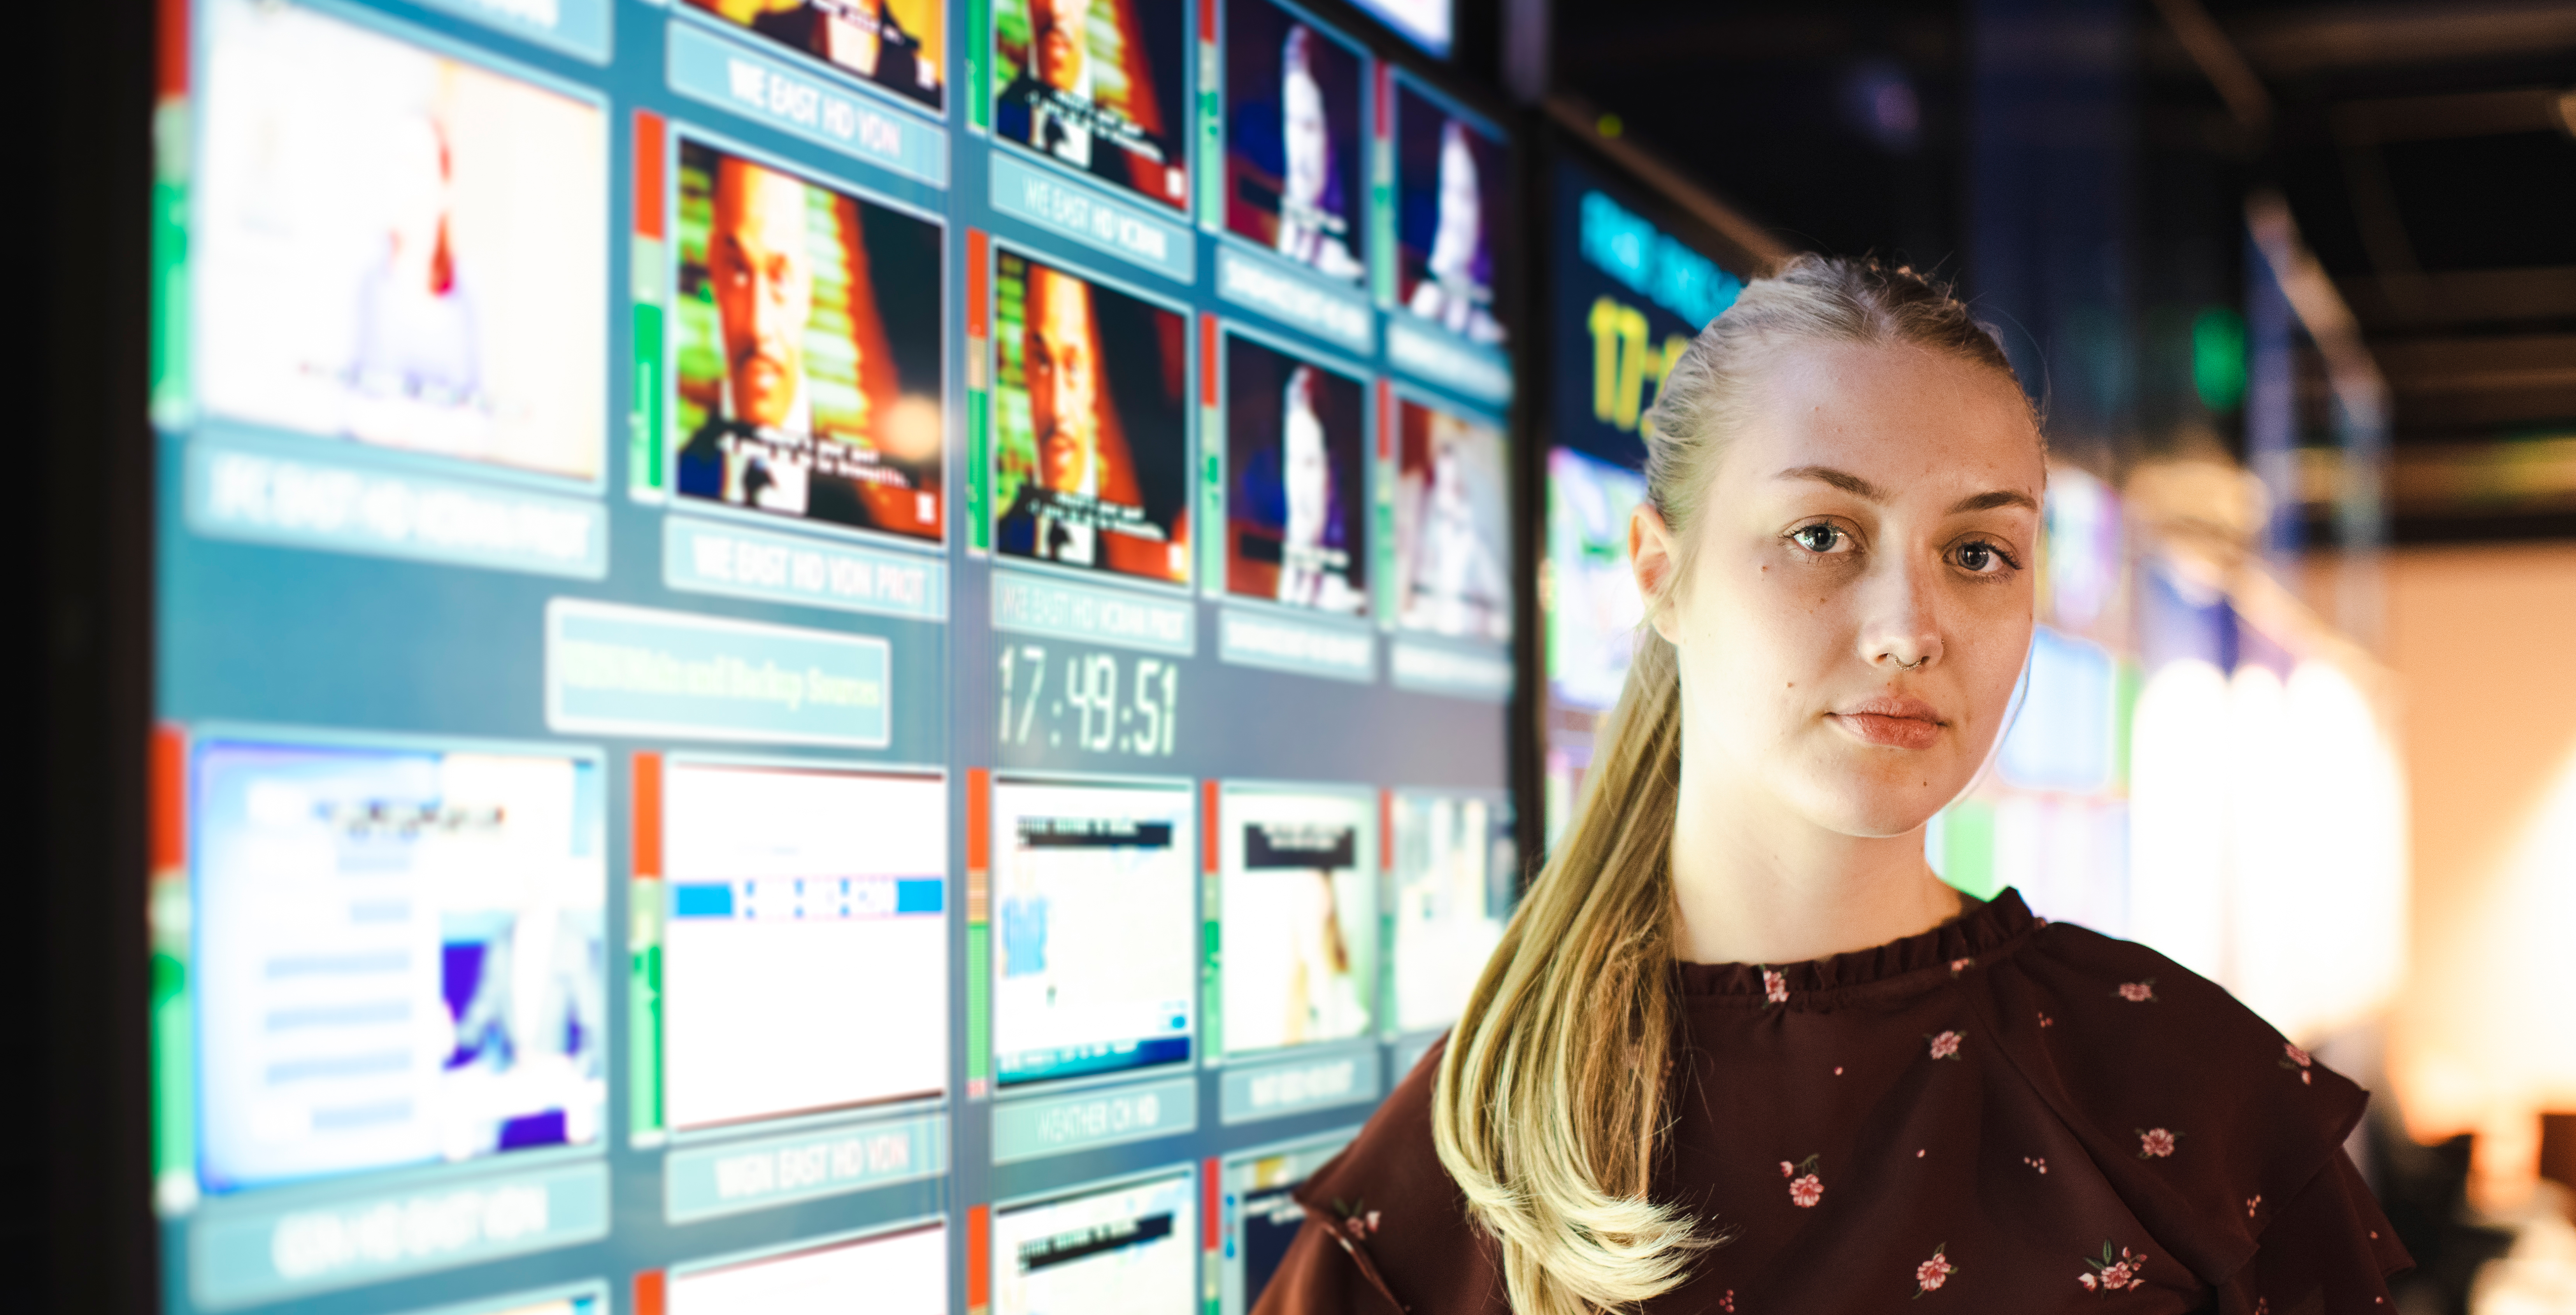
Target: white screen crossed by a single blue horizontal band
[[808, 930]]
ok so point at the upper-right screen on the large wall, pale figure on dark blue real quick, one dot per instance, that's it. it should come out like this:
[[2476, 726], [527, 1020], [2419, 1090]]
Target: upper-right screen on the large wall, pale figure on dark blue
[[1454, 187]]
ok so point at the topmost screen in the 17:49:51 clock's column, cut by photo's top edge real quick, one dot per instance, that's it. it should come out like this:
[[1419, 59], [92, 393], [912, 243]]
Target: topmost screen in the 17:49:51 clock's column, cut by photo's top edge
[[1096, 86]]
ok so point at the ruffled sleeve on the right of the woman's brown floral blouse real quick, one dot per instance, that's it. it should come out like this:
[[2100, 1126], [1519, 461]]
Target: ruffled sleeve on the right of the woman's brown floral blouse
[[2219, 1134]]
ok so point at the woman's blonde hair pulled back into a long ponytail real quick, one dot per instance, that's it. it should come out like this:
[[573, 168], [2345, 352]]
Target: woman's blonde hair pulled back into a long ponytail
[[1549, 1105]]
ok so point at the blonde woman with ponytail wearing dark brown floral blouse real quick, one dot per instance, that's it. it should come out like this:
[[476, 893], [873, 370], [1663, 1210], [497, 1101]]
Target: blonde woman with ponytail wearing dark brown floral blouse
[[1743, 1051]]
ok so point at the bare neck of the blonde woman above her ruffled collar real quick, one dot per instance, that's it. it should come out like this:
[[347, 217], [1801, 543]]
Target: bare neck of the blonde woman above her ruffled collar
[[1758, 884]]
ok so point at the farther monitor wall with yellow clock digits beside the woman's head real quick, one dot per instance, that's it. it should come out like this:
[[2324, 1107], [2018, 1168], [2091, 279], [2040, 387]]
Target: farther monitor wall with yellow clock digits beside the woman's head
[[1624, 300]]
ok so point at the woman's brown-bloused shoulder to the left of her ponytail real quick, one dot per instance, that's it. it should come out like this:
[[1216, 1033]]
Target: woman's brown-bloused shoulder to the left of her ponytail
[[1395, 1218]]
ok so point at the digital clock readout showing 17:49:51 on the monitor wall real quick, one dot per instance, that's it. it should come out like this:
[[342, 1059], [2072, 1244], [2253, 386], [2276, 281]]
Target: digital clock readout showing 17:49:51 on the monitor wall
[[1091, 701]]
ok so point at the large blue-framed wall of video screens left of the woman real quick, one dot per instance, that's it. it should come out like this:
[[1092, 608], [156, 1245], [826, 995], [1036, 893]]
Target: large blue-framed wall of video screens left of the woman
[[813, 650]]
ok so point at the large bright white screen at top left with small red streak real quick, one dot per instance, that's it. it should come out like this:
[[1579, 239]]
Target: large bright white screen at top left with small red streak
[[398, 248]]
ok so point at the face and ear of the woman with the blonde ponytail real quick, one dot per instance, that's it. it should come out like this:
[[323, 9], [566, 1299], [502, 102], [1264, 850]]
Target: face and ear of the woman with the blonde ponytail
[[1861, 601]]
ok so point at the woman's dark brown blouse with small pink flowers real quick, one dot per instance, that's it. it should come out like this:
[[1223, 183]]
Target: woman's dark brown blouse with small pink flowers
[[1998, 1116]]
